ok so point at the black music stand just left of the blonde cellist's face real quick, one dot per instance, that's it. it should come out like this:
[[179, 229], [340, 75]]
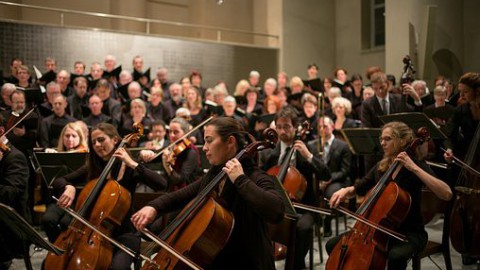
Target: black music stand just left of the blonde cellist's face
[[363, 141]]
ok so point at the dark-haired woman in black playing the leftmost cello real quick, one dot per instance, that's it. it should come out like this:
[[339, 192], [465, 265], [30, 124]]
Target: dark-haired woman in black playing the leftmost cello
[[104, 139]]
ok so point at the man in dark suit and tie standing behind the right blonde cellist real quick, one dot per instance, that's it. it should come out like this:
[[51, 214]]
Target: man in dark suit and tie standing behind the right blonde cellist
[[384, 103]]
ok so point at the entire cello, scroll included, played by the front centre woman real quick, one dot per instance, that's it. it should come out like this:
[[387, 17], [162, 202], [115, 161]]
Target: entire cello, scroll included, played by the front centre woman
[[203, 227]]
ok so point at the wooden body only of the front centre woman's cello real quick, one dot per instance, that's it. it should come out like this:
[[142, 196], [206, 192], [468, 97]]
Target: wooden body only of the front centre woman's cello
[[200, 238]]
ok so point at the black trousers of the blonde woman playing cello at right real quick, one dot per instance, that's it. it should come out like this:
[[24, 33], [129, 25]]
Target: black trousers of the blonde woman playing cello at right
[[399, 253]]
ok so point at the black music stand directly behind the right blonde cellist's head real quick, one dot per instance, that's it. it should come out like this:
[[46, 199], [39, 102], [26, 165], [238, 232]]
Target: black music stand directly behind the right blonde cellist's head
[[415, 120]]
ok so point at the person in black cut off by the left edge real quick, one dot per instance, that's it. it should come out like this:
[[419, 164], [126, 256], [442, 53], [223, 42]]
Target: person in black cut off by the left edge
[[13, 192]]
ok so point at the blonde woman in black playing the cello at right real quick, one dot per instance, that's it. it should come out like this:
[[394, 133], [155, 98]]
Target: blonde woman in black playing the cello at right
[[410, 177]]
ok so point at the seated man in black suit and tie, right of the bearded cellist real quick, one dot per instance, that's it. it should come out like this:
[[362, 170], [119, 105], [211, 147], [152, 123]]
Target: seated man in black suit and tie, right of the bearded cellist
[[338, 158]]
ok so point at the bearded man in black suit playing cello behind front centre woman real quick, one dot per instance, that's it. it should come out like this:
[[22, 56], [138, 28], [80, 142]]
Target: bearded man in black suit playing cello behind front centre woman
[[307, 163]]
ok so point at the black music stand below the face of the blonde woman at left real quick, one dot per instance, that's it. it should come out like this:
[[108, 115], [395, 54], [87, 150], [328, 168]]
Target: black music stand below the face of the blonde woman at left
[[54, 165]]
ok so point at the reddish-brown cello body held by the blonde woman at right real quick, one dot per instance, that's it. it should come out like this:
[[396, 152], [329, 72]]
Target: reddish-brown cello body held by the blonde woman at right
[[364, 247]]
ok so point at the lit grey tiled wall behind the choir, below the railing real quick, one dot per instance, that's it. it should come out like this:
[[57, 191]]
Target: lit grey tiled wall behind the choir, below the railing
[[230, 63]]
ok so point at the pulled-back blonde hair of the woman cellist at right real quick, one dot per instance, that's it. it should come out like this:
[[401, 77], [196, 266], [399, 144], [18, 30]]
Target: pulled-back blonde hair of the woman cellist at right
[[400, 131]]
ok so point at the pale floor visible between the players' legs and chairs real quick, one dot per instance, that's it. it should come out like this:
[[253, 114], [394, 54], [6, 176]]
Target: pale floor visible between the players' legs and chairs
[[434, 231]]
